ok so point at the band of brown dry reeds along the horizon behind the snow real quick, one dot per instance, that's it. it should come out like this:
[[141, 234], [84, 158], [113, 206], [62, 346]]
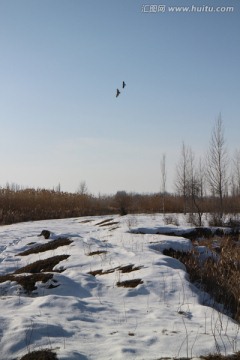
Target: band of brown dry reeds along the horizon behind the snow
[[18, 205]]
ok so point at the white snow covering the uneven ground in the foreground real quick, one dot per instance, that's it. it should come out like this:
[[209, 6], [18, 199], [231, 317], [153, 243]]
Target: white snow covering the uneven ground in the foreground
[[90, 317]]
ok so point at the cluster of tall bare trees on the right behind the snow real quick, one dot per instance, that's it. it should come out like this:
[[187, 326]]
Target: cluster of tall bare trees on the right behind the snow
[[215, 177]]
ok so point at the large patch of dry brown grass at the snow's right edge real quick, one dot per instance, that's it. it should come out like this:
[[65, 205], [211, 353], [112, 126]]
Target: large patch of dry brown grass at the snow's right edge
[[220, 276]]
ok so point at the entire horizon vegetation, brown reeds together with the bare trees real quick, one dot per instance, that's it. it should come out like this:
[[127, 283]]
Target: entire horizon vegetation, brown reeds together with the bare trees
[[204, 185]]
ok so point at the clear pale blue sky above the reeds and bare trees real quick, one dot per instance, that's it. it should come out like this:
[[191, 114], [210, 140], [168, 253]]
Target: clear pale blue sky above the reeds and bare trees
[[60, 64]]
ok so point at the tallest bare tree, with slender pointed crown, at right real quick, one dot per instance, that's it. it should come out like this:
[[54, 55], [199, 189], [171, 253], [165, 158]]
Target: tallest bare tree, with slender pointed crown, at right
[[217, 164]]
